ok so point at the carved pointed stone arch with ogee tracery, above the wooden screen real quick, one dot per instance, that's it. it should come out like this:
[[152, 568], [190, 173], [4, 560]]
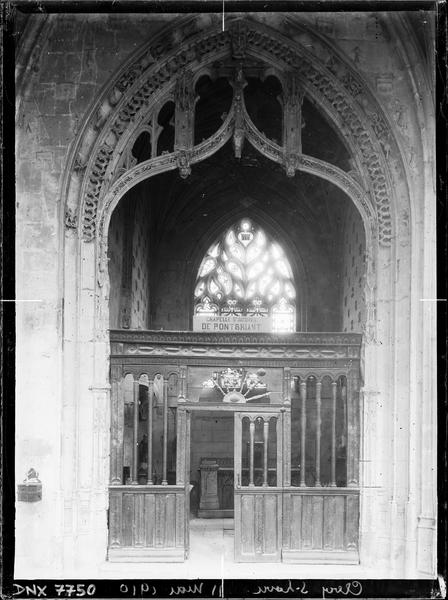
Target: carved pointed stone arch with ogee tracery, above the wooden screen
[[159, 71]]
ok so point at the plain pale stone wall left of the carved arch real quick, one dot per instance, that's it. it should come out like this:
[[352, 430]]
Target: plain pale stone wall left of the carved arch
[[64, 62]]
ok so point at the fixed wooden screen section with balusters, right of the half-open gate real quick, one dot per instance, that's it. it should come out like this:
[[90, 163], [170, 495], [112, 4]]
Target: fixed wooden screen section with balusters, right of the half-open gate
[[321, 507]]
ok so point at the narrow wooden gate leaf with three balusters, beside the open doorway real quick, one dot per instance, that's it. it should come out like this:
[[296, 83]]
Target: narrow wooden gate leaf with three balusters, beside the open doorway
[[258, 481]]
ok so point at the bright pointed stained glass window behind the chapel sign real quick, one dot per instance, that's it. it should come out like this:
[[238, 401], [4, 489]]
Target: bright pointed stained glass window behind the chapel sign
[[246, 273]]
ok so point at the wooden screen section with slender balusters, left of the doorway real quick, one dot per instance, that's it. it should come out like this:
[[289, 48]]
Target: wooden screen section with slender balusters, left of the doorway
[[148, 495]]
